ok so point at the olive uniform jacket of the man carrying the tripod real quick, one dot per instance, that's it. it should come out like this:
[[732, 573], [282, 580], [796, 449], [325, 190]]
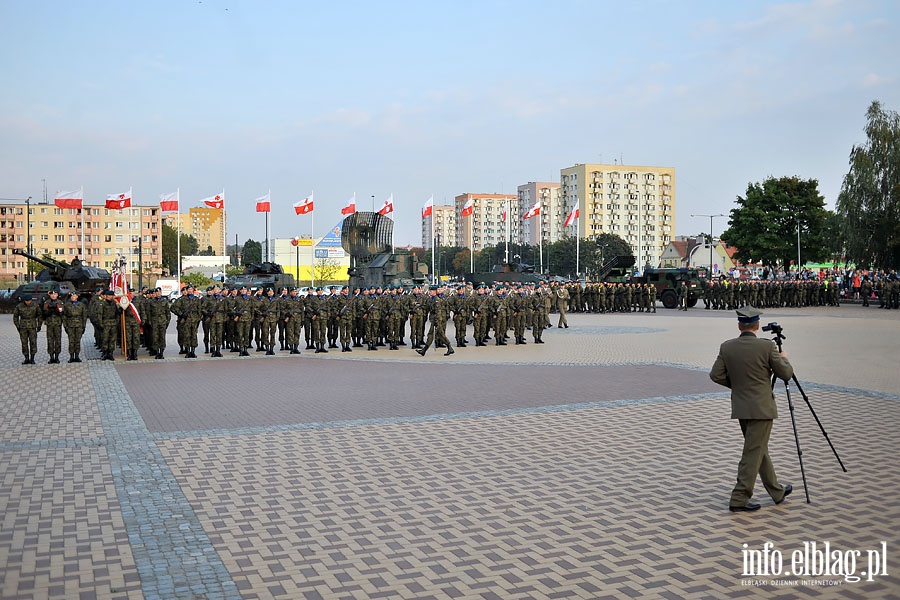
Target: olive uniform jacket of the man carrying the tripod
[[745, 364]]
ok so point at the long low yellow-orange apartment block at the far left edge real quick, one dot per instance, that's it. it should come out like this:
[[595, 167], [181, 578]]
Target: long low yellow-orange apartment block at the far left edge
[[105, 235]]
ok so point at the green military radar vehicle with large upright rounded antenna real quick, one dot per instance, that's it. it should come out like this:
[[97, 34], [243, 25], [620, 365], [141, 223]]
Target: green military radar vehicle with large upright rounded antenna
[[366, 237]]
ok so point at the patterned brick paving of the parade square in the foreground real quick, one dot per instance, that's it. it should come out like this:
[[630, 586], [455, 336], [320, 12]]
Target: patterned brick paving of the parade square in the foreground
[[595, 466]]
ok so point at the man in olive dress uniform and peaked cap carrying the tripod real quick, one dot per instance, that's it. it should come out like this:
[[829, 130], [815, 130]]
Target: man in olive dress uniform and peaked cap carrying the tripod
[[745, 365]]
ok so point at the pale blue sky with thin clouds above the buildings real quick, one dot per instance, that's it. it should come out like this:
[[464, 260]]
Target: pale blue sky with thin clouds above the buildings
[[418, 99]]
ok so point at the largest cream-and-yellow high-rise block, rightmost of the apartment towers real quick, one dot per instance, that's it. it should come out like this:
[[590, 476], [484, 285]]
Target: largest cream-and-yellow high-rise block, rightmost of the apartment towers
[[637, 203]]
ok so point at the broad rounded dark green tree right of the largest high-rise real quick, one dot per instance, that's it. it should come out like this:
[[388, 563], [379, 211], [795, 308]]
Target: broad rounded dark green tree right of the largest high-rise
[[764, 226]]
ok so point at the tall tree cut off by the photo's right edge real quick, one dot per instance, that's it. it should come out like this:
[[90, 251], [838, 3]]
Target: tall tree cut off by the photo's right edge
[[869, 202]]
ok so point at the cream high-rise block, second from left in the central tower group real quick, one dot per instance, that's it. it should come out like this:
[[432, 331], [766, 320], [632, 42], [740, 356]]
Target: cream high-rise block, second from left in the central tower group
[[485, 226]]
